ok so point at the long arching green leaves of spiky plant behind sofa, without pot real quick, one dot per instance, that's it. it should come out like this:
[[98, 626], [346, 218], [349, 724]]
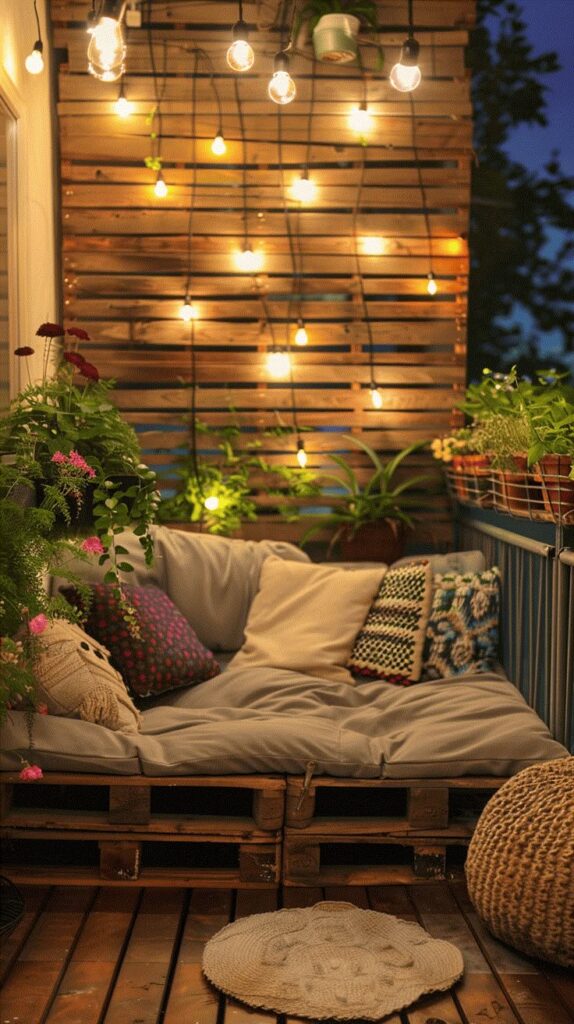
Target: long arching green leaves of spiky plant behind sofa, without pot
[[379, 499]]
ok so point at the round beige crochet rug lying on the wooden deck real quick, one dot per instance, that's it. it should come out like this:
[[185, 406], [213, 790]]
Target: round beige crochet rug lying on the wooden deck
[[331, 961]]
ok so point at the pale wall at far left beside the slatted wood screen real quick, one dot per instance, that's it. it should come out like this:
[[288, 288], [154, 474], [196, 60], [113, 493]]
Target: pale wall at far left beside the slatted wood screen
[[29, 99]]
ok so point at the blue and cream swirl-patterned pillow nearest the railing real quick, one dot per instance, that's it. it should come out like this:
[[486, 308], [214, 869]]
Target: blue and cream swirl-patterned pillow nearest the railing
[[463, 631]]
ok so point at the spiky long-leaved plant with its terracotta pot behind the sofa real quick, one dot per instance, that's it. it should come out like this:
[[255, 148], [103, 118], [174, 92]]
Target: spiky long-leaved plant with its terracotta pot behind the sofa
[[372, 522]]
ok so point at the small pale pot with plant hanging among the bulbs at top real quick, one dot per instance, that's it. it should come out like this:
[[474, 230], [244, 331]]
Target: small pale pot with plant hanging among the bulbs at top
[[335, 26]]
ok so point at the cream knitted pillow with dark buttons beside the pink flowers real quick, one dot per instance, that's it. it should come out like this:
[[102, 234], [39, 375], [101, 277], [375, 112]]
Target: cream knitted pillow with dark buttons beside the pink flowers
[[76, 679]]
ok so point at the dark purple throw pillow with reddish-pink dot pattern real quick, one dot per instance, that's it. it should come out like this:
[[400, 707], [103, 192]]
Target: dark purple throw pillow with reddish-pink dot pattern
[[167, 657]]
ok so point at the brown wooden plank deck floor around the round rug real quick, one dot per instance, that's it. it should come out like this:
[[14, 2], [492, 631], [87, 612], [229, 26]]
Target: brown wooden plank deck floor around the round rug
[[134, 957]]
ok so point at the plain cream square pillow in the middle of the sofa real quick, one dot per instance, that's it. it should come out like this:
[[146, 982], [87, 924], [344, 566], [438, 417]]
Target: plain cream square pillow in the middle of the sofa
[[305, 618]]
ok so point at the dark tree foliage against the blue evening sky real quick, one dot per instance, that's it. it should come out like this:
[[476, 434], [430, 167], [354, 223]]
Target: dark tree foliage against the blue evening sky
[[521, 219]]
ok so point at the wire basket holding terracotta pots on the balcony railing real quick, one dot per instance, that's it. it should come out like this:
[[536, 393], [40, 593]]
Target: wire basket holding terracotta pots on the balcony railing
[[544, 492]]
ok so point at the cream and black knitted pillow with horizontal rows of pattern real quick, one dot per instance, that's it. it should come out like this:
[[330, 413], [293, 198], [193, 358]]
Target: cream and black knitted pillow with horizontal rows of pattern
[[390, 645]]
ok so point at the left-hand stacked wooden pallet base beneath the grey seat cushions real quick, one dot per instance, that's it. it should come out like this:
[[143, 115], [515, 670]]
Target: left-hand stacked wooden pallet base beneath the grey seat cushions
[[203, 831]]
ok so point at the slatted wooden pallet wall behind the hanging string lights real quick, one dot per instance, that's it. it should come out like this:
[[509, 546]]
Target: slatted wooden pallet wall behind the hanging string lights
[[125, 251]]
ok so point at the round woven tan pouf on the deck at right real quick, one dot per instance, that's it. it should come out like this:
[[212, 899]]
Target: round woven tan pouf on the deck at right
[[520, 867]]
